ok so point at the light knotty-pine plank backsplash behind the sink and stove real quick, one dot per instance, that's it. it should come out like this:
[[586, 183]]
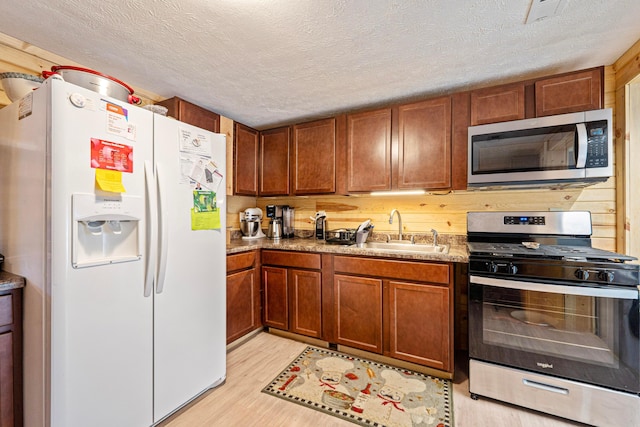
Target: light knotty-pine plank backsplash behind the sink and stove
[[445, 213]]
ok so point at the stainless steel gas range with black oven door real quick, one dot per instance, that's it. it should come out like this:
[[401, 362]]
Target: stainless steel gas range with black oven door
[[553, 322]]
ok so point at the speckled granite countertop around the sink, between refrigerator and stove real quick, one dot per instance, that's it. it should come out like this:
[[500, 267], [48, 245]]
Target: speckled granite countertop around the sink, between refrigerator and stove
[[457, 251]]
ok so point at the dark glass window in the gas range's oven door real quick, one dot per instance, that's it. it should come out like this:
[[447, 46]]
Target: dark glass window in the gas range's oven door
[[580, 328]]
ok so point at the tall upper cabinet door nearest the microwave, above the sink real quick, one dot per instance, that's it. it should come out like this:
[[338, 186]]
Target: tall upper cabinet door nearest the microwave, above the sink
[[424, 144]]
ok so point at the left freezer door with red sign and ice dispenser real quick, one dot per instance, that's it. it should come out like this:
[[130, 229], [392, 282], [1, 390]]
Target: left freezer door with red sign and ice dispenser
[[101, 322]]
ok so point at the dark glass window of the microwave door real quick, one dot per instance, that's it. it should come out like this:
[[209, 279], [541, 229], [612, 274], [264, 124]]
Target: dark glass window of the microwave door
[[552, 148]]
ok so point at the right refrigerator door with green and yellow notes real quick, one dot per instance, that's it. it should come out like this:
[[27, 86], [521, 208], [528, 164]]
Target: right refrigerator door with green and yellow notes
[[189, 302]]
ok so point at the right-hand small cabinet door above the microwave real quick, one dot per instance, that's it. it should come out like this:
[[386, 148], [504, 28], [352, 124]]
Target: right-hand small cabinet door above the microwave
[[569, 93]]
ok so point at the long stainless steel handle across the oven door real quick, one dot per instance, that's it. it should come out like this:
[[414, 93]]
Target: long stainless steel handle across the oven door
[[604, 292]]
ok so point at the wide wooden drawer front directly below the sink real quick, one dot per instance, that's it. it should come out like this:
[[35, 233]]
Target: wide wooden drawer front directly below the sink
[[405, 270]]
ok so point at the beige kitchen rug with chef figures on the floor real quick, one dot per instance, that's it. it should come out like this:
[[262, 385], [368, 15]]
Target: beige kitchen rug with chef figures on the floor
[[364, 392]]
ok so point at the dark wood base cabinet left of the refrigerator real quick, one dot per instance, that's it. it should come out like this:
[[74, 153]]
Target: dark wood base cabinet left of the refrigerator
[[11, 402]]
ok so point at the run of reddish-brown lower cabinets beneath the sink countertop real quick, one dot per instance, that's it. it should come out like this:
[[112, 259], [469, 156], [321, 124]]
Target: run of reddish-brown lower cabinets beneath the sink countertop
[[401, 309]]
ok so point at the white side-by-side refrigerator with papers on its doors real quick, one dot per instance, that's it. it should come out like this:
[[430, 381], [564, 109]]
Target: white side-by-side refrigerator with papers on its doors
[[116, 218]]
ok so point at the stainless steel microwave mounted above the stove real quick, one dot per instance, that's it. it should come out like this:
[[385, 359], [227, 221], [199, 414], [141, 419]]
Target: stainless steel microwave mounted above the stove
[[563, 149]]
